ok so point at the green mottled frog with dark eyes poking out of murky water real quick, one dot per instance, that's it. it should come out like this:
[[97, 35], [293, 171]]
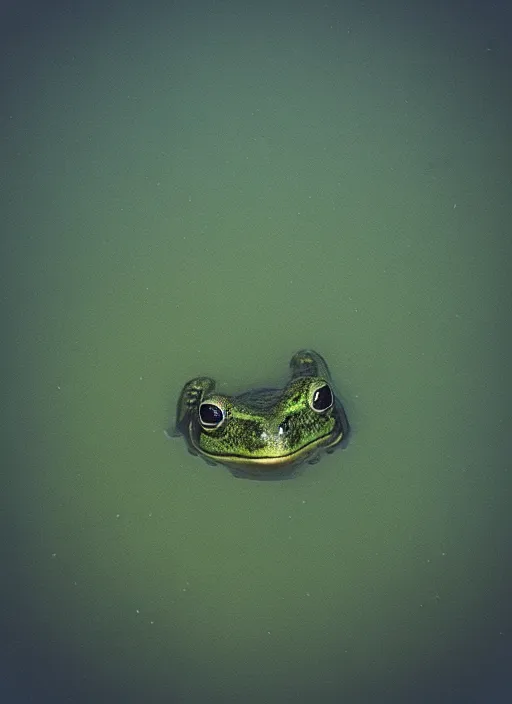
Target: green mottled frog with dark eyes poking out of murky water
[[265, 433]]
